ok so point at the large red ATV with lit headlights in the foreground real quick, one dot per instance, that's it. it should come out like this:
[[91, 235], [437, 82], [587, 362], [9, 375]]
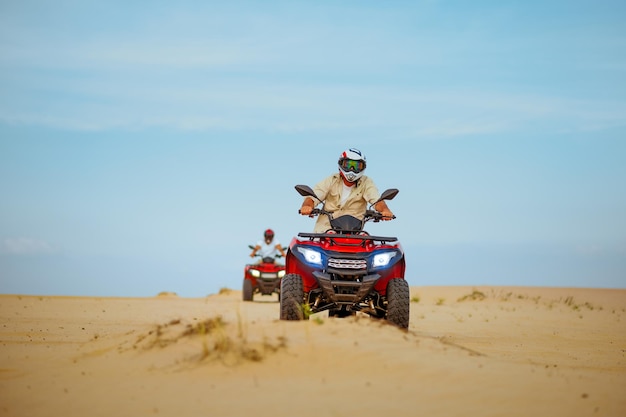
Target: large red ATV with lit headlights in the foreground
[[345, 270]]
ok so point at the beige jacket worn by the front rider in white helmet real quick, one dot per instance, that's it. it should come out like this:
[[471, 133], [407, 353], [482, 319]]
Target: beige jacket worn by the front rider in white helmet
[[329, 191]]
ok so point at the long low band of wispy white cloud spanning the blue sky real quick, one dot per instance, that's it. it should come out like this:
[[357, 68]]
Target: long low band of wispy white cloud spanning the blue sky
[[226, 104]]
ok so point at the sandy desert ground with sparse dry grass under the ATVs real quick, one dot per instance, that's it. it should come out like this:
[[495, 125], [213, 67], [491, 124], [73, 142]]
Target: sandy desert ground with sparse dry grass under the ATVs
[[469, 351]]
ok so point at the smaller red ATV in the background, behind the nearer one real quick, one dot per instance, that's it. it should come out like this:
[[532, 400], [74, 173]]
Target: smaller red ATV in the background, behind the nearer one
[[262, 278]]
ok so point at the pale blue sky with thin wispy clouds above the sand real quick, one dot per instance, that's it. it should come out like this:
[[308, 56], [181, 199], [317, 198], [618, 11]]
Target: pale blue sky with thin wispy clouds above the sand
[[145, 145]]
